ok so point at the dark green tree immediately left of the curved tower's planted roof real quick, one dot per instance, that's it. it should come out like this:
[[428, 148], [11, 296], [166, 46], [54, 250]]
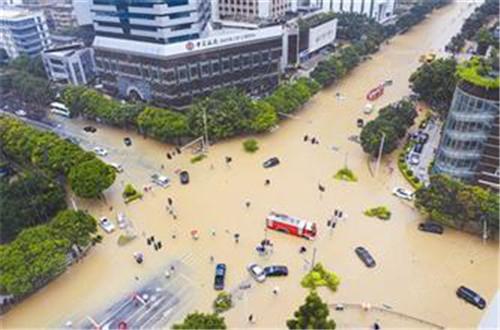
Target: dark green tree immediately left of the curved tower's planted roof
[[435, 83]]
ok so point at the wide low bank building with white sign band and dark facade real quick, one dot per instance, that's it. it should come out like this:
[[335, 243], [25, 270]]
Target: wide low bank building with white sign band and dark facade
[[174, 75]]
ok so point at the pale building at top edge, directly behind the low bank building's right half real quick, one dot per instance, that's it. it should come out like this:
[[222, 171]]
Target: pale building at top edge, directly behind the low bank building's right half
[[253, 9]]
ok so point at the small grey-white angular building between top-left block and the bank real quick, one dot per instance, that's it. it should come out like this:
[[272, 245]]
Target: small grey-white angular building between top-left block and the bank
[[72, 64]]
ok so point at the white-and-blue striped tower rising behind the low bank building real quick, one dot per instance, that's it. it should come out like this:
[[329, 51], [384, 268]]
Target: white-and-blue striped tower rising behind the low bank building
[[153, 21]]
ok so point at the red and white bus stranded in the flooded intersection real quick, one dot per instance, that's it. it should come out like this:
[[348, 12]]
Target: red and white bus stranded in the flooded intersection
[[291, 225]]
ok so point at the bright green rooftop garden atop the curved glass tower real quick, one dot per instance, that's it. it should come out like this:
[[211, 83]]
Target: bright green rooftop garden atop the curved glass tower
[[478, 72]]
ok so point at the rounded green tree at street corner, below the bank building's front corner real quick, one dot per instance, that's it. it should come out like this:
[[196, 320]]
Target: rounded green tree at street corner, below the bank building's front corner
[[162, 124]]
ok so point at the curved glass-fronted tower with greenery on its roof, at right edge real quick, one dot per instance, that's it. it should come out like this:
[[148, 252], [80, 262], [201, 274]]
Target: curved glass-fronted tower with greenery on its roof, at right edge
[[469, 146]]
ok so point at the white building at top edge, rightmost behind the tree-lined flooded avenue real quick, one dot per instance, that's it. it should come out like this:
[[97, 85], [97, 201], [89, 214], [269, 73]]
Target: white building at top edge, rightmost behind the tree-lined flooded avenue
[[380, 10]]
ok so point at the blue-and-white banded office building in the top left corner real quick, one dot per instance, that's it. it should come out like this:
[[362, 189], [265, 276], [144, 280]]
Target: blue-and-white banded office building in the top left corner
[[23, 32]]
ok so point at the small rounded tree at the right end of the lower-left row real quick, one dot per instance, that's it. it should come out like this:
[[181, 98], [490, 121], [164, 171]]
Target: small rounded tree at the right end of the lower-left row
[[77, 227]]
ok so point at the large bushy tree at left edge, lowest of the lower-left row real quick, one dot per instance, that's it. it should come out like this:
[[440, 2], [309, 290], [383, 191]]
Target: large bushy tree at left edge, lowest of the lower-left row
[[32, 259]]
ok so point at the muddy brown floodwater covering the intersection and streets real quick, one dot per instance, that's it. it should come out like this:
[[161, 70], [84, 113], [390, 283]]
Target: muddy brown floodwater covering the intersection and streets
[[416, 273]]
